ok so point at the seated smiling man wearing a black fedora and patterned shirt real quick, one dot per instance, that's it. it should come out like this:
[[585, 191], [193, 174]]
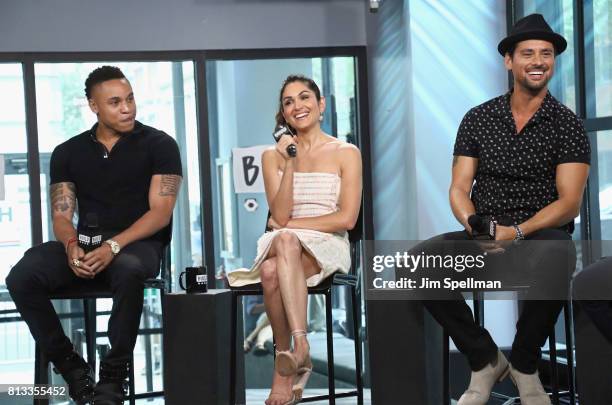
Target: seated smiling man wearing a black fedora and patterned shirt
[[521, 159]]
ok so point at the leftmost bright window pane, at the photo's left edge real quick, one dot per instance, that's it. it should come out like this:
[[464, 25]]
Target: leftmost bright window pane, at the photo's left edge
[[17, 350]]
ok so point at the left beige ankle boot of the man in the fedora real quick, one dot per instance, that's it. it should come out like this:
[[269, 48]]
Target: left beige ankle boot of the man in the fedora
[[482, 381]]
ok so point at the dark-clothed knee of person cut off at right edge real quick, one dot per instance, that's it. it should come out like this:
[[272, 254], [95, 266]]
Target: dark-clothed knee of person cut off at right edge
[[593, 290]]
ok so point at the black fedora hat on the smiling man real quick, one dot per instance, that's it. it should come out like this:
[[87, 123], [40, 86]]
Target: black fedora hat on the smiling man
[[533, 26]]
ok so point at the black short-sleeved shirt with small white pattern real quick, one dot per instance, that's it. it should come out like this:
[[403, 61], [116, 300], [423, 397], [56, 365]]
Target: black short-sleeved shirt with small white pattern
[[515, 177]]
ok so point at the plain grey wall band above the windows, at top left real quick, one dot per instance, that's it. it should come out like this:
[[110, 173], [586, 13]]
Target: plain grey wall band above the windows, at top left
[[119, 25]]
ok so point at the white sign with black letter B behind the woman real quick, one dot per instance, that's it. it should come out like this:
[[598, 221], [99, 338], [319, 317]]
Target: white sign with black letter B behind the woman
[[246, 164]]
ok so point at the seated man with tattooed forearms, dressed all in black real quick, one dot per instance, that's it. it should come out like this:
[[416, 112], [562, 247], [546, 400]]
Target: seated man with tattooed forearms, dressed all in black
[[124, 176]]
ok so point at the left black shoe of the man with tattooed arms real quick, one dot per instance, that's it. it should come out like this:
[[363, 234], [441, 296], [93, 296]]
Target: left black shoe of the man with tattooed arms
[[78, 375]]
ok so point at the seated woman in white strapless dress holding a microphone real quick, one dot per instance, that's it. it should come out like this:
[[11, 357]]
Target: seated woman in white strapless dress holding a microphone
[[314, 198]]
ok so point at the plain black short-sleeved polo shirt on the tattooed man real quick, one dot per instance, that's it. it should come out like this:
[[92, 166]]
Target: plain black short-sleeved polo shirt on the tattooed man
[[114, 186]]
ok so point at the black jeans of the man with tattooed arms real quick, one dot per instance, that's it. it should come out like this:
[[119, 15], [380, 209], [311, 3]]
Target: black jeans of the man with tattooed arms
[[44, 269]]
